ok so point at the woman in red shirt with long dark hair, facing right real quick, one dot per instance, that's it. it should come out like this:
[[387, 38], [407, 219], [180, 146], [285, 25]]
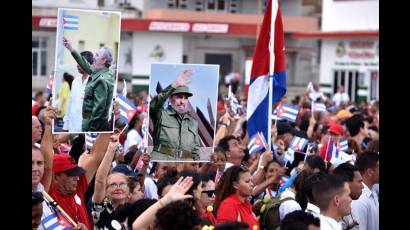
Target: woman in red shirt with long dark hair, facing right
[[231, 201]]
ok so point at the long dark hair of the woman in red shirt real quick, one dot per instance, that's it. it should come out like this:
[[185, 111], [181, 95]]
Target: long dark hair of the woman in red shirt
[[225, 185]]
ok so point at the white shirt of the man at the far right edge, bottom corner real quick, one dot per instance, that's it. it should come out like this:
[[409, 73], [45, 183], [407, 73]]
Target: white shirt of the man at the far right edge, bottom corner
[[366, 209]]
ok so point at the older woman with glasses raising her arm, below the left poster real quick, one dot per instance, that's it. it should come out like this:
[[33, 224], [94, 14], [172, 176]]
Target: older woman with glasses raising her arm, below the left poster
[[110, 192]]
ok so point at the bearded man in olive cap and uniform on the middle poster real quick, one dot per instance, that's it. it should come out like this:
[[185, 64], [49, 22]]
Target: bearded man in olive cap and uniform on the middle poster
[[175, 130]]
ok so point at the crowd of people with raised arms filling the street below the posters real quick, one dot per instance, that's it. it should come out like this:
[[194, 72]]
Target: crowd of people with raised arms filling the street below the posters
[[108, 187]]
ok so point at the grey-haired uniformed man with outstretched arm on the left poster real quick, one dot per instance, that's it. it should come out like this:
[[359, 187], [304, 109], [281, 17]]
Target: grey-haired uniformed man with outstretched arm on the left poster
[[98, 90]]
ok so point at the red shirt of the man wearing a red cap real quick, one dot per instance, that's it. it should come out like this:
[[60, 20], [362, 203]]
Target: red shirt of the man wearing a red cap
[[74, 204]]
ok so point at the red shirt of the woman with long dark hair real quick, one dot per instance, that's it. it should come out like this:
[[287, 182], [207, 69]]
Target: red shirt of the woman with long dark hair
[[232, 209]]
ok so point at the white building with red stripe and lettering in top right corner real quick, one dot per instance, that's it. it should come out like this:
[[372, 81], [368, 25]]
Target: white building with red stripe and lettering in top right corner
[[351, 56]]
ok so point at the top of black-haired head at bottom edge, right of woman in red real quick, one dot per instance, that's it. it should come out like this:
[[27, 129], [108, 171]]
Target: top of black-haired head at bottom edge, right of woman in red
[[299, 220]]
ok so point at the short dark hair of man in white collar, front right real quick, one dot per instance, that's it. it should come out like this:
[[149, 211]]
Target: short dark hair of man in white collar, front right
[[324, 191]]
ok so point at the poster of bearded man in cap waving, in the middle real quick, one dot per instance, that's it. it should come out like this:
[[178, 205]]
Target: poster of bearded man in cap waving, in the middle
[[182, 111]]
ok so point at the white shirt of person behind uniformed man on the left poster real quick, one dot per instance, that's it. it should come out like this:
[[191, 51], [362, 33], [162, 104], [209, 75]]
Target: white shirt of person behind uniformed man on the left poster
[[74, 115]]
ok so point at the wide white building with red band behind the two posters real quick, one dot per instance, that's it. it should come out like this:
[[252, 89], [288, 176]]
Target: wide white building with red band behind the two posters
[[202, 31]]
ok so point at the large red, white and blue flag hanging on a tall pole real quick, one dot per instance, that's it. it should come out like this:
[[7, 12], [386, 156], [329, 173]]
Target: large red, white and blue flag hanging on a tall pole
[[268, 61]]
